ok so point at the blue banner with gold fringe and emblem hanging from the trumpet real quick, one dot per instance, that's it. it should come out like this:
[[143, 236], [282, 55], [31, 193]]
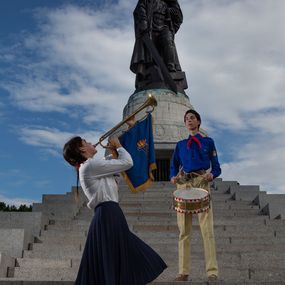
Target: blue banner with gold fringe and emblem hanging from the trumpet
[[138, 141]]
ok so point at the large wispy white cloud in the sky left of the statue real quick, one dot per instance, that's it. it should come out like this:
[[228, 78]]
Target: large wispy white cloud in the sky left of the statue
[[80, 60]]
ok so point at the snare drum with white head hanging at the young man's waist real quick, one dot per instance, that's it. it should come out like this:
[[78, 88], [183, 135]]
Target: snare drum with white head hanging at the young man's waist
[[191, 200]]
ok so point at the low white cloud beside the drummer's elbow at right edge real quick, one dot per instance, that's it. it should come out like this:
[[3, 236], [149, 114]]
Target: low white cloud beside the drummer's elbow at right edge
[[260, 163]]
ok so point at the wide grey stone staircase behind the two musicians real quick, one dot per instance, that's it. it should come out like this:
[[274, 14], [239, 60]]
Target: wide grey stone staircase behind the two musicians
[[250, 242]]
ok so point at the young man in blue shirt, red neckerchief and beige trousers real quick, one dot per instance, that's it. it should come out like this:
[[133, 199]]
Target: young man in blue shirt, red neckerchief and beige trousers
[[196, 159]]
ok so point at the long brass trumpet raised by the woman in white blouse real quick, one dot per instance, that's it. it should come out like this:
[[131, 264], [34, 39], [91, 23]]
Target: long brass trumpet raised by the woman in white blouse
[[150, 101]]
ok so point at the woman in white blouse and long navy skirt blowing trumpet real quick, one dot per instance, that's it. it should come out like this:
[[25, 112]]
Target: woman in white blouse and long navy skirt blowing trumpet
[[112, 255]]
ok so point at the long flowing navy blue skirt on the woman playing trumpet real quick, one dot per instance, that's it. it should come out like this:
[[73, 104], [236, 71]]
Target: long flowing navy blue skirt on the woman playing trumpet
[[113, 255]]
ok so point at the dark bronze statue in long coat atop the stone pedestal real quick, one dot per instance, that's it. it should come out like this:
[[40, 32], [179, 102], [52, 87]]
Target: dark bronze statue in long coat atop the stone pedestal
[[155, 61]]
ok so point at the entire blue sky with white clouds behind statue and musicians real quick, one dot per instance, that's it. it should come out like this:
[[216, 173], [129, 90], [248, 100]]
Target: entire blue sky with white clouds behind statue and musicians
[[64, 70]]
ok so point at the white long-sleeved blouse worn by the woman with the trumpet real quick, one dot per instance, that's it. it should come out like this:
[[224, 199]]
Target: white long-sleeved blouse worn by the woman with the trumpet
[[97, 177]]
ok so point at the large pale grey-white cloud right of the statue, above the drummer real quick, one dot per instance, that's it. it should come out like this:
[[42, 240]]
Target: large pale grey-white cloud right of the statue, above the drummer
[[234, 54]]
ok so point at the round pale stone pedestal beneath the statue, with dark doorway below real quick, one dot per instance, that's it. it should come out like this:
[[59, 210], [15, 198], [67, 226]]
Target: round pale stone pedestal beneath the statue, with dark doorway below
[[168, 124]]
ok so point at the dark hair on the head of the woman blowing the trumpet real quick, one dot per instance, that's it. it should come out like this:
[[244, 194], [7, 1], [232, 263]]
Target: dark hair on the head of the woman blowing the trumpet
[[72, 153]]
